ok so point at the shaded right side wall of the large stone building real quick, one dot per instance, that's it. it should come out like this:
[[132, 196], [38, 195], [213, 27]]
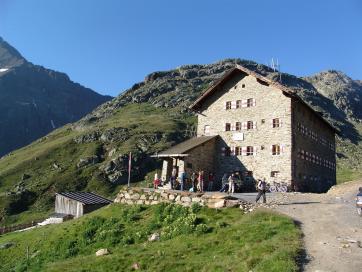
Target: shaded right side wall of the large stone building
[[313, 151]]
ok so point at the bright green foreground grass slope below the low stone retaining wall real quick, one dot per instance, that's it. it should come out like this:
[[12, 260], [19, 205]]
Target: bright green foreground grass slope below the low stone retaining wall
[[192, 239]]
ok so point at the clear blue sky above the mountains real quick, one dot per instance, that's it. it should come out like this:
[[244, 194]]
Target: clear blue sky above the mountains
[[110, 45]]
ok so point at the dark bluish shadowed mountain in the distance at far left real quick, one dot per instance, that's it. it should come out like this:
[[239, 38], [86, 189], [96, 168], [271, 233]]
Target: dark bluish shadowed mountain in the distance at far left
[[35, 100]]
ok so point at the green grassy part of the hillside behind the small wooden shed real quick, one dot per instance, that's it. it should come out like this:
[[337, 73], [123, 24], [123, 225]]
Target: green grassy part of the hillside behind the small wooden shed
[[25, 200]]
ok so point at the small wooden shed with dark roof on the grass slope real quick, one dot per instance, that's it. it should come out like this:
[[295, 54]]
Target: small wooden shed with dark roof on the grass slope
[[78, 203]]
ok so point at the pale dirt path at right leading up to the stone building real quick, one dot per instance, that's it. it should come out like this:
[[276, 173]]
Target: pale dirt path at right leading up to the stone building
[[332, 229]]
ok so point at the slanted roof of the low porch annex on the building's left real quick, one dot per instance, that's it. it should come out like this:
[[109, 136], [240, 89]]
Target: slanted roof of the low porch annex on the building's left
[[181, 149]]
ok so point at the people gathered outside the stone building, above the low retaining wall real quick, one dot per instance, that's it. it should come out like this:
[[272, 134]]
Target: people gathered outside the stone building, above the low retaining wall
[[197, 182]]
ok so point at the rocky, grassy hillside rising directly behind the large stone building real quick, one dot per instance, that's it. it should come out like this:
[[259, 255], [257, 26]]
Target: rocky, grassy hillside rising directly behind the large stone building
[[92, 153]]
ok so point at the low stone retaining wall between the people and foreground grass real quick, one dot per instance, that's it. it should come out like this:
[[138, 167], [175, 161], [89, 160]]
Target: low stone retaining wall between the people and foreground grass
[[146, 196]]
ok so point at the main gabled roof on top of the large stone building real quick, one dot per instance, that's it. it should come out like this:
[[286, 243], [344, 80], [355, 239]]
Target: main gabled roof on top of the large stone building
[[238, 68]]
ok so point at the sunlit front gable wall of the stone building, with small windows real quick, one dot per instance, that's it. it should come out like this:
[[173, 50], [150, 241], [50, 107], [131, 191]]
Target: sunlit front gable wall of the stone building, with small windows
[[269, 103]]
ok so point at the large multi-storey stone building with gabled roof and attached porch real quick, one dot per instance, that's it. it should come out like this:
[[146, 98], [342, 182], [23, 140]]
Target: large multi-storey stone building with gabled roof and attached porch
[[255, 126]]
